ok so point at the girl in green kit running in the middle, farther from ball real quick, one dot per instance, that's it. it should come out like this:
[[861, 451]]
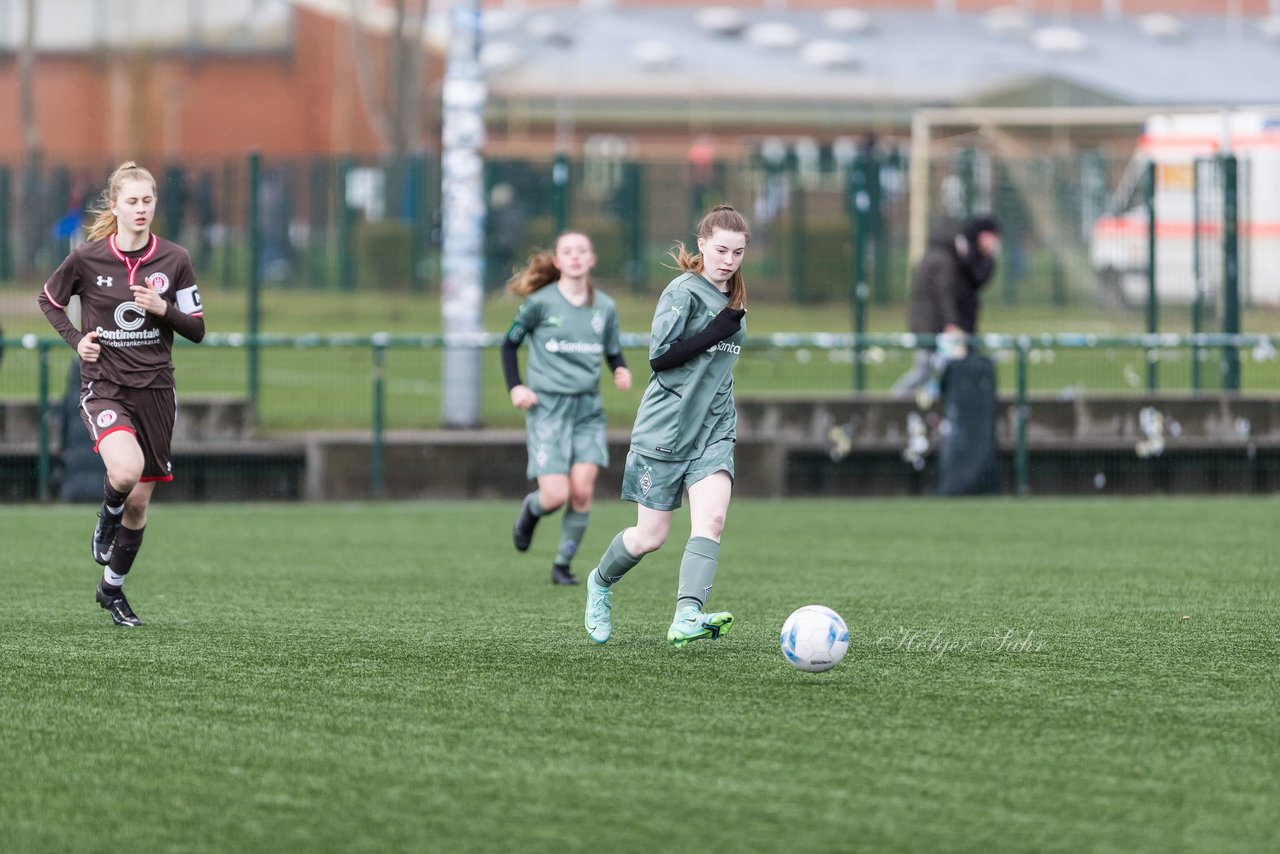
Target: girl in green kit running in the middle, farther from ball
[[569, 328]]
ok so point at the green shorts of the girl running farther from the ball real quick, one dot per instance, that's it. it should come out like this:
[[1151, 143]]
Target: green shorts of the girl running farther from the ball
[[565, 430]]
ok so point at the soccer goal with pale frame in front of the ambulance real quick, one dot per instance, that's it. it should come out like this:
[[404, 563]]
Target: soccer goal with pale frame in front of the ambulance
[[1085, 195]]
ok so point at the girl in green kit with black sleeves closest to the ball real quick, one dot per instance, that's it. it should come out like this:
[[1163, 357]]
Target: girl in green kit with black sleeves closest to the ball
[[685, 431]]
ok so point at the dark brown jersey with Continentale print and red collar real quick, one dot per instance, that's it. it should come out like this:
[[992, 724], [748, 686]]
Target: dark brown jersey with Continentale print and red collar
[[138, 346]]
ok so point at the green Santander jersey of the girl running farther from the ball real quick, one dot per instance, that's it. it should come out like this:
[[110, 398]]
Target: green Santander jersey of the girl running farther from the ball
[[566, 342]]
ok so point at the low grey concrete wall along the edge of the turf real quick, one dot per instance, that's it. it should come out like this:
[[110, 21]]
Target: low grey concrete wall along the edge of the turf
[[788, 446]]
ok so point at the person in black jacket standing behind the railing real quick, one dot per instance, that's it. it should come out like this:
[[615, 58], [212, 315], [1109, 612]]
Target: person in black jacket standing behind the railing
[[945, 293]]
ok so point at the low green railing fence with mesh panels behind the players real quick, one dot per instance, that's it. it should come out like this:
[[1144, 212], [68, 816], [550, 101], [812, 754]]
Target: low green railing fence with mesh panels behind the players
[[368, 386]]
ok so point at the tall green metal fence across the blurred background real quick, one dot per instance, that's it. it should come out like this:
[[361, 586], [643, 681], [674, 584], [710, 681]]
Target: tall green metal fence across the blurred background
[[830, 223]]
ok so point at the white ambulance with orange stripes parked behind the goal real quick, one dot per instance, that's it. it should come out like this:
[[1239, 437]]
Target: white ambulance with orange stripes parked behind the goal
[[1185, 149]]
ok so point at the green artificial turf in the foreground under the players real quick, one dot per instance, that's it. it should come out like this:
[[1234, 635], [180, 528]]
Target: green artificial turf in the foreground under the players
[[1045, 675]]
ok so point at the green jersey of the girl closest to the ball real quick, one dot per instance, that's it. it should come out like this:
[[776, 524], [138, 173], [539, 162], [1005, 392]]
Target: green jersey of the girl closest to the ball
[[691, 407]]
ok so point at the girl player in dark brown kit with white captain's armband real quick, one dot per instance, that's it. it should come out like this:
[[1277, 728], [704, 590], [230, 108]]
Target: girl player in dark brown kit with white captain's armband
[[136, 291]]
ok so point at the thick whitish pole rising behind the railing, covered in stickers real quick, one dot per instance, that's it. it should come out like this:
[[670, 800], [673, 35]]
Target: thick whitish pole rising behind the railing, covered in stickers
[[464, 211]]
